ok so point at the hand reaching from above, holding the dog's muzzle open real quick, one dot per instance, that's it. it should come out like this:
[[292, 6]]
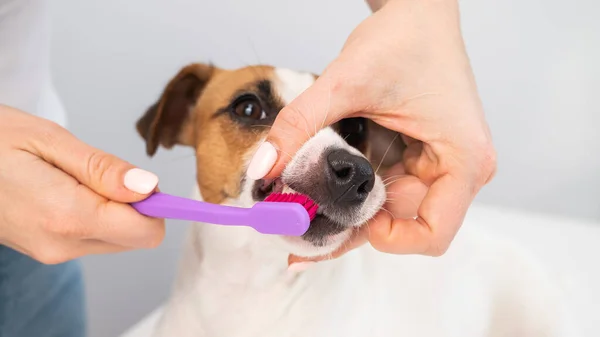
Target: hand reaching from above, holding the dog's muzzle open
[[405, 68]]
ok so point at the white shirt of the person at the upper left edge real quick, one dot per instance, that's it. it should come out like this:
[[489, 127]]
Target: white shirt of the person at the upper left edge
[[25, 80]]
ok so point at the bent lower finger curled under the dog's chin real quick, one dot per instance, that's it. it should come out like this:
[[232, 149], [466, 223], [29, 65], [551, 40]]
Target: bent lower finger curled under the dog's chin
[[440, 216]]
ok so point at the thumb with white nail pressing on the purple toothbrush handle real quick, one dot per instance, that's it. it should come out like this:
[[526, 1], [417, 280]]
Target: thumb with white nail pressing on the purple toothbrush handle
[[103, 173]]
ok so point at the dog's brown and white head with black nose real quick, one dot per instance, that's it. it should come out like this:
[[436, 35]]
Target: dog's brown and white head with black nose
[[226, 114]]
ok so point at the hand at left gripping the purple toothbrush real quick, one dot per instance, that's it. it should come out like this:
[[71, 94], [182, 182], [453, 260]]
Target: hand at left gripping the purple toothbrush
[[61, 199]]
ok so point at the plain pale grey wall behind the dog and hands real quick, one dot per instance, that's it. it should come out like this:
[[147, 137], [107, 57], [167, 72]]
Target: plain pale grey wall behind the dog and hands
[[536, 63]]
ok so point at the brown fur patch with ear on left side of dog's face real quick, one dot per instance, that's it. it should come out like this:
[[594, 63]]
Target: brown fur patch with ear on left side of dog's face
[[188, 113]]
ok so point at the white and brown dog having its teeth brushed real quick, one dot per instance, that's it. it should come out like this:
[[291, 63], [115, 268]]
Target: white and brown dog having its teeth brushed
[[235, 282]]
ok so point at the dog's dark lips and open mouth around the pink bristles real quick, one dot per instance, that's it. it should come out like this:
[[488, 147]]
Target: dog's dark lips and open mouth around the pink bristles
[[322, 227]]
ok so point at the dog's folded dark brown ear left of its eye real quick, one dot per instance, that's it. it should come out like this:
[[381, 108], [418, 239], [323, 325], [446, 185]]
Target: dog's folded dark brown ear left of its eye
[[164, 122]]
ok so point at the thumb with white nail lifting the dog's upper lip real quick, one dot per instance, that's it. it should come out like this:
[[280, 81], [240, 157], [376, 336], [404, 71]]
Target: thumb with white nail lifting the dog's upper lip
[[319, 106]]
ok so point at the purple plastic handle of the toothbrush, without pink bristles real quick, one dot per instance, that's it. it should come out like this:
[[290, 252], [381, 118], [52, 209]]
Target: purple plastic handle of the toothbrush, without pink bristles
[[282, 218]]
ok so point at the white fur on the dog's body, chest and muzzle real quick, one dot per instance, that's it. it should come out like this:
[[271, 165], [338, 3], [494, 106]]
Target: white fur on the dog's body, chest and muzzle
[[234, 282]]
